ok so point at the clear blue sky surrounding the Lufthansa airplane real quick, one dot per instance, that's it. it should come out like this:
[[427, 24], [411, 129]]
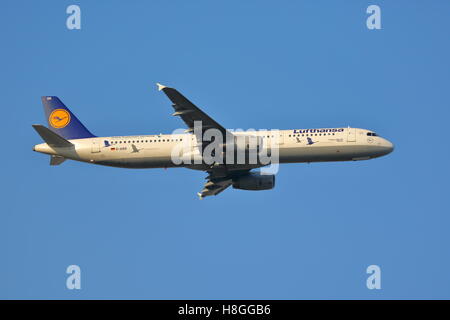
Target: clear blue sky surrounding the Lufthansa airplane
[[143, 234]]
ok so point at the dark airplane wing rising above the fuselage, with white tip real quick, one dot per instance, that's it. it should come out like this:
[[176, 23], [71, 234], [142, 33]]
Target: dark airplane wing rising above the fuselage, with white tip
[[189, 112]]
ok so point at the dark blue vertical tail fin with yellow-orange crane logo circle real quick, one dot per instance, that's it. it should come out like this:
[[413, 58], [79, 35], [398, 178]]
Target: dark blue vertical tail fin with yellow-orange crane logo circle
[[62, 121]]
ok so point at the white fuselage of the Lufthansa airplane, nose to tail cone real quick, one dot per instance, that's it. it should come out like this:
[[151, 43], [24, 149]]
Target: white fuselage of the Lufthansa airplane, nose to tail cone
[[155, 151]]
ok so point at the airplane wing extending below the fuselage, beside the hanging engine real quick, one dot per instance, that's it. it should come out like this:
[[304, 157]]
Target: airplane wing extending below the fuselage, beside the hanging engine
[[218, 181]]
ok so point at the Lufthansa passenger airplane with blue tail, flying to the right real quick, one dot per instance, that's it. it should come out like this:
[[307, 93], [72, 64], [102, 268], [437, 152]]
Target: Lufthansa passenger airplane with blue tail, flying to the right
[[67, 138]]
